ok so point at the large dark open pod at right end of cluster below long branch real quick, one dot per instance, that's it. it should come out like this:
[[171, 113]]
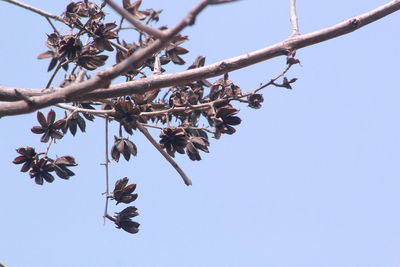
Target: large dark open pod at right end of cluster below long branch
[[225, 118]]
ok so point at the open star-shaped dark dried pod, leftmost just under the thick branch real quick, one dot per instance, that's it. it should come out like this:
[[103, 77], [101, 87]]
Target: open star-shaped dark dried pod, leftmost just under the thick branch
[[48, 127]]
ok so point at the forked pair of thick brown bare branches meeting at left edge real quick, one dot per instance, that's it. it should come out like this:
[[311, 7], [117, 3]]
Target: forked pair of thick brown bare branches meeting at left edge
[[86, 90]]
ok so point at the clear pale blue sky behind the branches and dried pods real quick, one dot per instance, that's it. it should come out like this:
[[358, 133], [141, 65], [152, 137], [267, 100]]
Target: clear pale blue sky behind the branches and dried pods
[[311, 179]]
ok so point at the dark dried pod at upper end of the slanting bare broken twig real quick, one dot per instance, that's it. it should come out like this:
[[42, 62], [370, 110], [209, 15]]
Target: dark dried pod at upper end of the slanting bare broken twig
[[127, 114]]
